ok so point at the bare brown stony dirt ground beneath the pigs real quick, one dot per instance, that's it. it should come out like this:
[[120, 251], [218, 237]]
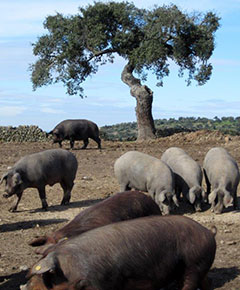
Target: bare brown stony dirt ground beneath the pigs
[[94, 182]]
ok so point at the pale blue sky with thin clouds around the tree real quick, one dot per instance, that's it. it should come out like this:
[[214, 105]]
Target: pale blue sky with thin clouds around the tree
[[108, 99]]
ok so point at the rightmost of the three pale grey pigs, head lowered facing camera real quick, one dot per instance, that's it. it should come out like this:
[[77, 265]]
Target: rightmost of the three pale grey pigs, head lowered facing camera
[[222, 173]]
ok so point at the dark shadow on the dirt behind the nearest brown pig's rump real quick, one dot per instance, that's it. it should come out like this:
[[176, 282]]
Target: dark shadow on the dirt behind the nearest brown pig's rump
[[220, 276]]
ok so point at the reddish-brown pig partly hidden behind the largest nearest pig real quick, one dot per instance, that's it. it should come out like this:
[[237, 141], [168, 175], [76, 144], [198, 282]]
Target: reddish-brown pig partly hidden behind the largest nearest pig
[[121, 206]]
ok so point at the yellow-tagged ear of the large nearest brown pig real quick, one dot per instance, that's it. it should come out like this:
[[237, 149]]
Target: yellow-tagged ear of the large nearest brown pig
[[44, 265]]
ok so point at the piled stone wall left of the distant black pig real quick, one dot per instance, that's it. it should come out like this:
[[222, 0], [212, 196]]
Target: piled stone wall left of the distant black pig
[[22, 134]]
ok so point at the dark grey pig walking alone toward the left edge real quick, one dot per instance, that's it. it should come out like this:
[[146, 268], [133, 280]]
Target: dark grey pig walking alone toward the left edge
[[38, 170]]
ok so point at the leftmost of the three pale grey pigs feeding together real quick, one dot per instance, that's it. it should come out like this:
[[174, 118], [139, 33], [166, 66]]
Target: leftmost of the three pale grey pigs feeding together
[[144, 172]]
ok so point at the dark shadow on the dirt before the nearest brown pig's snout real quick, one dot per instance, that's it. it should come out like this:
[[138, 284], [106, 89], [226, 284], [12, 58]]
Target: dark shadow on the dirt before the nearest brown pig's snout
[[13, 281]]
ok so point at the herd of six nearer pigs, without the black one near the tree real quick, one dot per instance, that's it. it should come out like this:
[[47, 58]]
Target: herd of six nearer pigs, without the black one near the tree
[[129, 241]]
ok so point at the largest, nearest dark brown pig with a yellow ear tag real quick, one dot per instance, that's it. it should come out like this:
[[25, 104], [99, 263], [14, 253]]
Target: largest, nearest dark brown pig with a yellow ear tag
[[145, 253]]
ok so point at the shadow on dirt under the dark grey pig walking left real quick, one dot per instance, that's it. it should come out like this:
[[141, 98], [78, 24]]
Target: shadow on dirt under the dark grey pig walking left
[[74, 204]]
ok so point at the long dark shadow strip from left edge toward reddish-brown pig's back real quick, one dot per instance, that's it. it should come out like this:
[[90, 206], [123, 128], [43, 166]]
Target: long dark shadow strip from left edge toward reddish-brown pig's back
[[29, 224]]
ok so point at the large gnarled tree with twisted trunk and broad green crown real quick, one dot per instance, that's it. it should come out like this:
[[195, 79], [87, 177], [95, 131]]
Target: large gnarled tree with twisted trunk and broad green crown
[[148, 40]]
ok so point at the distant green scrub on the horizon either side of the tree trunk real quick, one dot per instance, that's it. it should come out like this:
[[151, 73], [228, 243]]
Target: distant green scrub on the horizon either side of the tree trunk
[[164, 127]]
